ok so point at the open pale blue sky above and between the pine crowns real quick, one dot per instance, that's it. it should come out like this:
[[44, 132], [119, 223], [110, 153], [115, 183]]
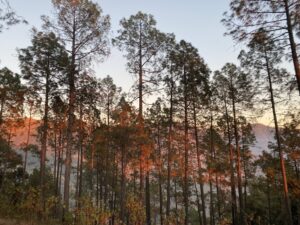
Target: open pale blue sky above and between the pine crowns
[[196, 21]]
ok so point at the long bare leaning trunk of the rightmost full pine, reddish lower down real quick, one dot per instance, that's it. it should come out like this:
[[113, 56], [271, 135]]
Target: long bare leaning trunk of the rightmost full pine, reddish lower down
[[281, 156]]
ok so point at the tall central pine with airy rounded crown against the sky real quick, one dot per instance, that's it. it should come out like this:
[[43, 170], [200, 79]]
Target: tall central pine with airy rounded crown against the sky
[[145, 48]]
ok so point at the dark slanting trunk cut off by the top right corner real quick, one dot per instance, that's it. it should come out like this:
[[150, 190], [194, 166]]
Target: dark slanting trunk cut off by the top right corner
[[292, 43]]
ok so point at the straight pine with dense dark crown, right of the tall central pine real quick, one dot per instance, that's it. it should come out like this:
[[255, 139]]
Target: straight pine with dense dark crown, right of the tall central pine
[[190, 68]]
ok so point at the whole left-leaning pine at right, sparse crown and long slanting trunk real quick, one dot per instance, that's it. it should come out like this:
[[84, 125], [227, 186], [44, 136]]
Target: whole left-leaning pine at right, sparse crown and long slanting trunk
[[262, 51]]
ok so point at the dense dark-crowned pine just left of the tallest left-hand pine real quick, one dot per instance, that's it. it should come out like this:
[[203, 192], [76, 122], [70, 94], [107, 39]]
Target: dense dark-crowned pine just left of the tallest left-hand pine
[[42, 64]]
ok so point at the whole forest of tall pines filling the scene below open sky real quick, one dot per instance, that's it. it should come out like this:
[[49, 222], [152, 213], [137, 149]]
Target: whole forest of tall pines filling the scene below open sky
[[177, 149]]
